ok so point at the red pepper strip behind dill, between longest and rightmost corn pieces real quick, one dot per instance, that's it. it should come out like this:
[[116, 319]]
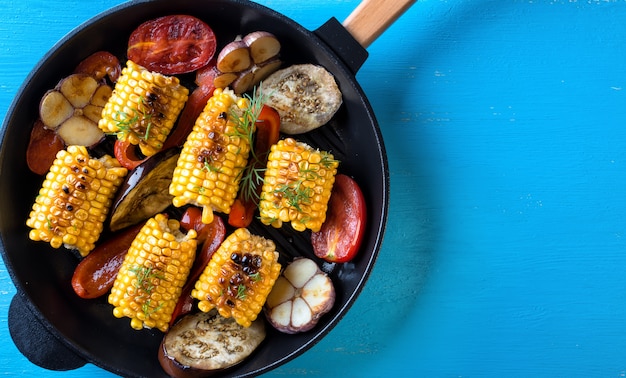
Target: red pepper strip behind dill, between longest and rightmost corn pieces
[[267, 133]]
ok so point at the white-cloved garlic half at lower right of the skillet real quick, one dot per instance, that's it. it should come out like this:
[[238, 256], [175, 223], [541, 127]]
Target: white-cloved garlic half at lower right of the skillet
[[301, 295]]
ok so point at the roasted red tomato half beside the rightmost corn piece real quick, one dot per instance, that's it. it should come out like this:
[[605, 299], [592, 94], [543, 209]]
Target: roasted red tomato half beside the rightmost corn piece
[[340, 237]]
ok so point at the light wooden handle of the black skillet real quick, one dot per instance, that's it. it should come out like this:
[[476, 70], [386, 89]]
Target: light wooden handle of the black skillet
[[372, 17]]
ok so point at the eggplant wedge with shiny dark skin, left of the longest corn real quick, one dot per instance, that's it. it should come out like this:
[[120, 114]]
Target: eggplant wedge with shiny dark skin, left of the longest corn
[[145, 192]]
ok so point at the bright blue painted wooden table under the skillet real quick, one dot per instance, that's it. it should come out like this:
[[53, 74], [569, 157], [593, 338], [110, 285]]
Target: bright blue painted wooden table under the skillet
[[505, 126]]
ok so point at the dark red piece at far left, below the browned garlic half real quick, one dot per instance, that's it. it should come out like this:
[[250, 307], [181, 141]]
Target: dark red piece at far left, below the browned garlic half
[[42, 148]]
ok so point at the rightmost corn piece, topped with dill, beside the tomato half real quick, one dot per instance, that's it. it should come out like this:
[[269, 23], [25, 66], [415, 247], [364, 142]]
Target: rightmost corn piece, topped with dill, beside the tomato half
[[297, 185]]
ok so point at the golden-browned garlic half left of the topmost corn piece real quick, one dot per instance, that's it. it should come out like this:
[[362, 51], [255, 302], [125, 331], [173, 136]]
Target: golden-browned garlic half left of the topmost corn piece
[[73, 109]]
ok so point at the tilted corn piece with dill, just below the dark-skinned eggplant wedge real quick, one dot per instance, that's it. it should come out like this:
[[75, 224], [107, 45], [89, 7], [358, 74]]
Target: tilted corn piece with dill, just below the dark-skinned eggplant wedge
[[153, 273]]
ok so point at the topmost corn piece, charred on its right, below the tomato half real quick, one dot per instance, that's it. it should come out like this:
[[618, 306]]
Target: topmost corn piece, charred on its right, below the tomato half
[[143, 107]]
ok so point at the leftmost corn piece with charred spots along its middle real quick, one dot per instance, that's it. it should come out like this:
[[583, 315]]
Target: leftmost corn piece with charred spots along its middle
[[74, 199]]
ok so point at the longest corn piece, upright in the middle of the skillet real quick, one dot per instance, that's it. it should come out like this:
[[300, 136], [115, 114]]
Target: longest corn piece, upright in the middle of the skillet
[[214, 155]]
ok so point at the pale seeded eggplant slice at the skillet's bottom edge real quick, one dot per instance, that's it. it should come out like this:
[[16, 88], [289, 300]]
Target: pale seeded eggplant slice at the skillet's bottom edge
[[203, 344]]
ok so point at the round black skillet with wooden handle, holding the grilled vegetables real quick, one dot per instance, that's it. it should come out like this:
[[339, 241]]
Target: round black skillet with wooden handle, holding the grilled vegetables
[[56, 329]]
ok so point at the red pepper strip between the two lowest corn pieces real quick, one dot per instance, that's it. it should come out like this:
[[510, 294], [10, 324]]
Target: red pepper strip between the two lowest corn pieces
[[211, 236]]
